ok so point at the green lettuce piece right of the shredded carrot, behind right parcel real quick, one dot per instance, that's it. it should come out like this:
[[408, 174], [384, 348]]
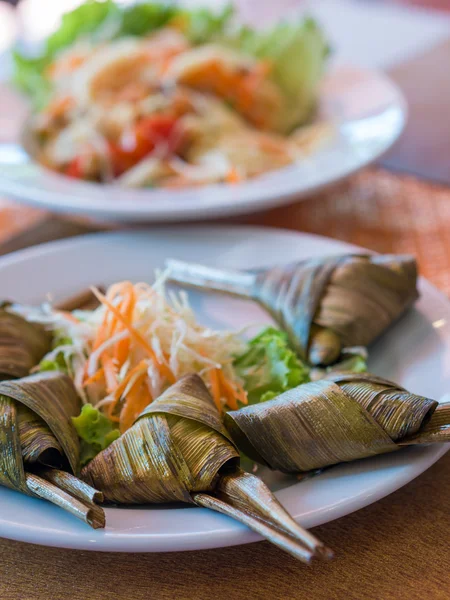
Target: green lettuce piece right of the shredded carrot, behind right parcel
[[269, 367]]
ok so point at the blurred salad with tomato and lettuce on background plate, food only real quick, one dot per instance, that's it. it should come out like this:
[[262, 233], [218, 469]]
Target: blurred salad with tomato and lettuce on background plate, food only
[[153, 95]]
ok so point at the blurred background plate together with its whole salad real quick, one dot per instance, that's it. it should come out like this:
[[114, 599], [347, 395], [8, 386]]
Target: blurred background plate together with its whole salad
[[159, 100]]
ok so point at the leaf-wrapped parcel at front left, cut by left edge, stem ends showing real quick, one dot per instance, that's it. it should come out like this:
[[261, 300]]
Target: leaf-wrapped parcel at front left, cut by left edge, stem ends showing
[[39, 448]]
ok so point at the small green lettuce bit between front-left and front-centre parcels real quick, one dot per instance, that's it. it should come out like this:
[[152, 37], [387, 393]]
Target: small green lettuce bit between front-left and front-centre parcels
[[95, 431]]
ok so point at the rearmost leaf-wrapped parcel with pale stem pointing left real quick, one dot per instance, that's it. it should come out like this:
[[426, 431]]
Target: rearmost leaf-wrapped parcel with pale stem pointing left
[[324, 304]]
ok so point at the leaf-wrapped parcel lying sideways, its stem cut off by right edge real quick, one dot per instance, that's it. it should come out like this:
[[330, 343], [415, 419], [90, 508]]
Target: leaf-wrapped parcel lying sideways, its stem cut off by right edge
[[343, 418]]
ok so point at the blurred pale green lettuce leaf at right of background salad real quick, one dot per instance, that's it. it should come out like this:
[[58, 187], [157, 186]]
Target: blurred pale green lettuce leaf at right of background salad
[[297, 52]]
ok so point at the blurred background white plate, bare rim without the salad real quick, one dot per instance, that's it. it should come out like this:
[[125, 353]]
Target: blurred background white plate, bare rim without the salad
[[369, 113]]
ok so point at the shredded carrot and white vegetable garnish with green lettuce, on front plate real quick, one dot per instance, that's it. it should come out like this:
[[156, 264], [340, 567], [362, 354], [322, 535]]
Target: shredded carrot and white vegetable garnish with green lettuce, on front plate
[[140, 340]]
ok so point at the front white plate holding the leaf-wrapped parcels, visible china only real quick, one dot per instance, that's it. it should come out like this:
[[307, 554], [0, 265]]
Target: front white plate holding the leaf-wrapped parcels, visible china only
[[415, 352]]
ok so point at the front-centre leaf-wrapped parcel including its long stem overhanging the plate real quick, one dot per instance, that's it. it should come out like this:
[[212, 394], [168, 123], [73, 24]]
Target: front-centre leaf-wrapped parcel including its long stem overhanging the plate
[[178, 450]]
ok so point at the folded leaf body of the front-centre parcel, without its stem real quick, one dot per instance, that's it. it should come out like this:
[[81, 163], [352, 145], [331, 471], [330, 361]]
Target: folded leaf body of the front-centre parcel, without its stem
[[178, 445]]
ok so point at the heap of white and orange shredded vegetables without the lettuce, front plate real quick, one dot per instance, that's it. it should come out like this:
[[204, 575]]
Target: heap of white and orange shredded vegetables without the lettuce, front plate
[[163, 341]]
